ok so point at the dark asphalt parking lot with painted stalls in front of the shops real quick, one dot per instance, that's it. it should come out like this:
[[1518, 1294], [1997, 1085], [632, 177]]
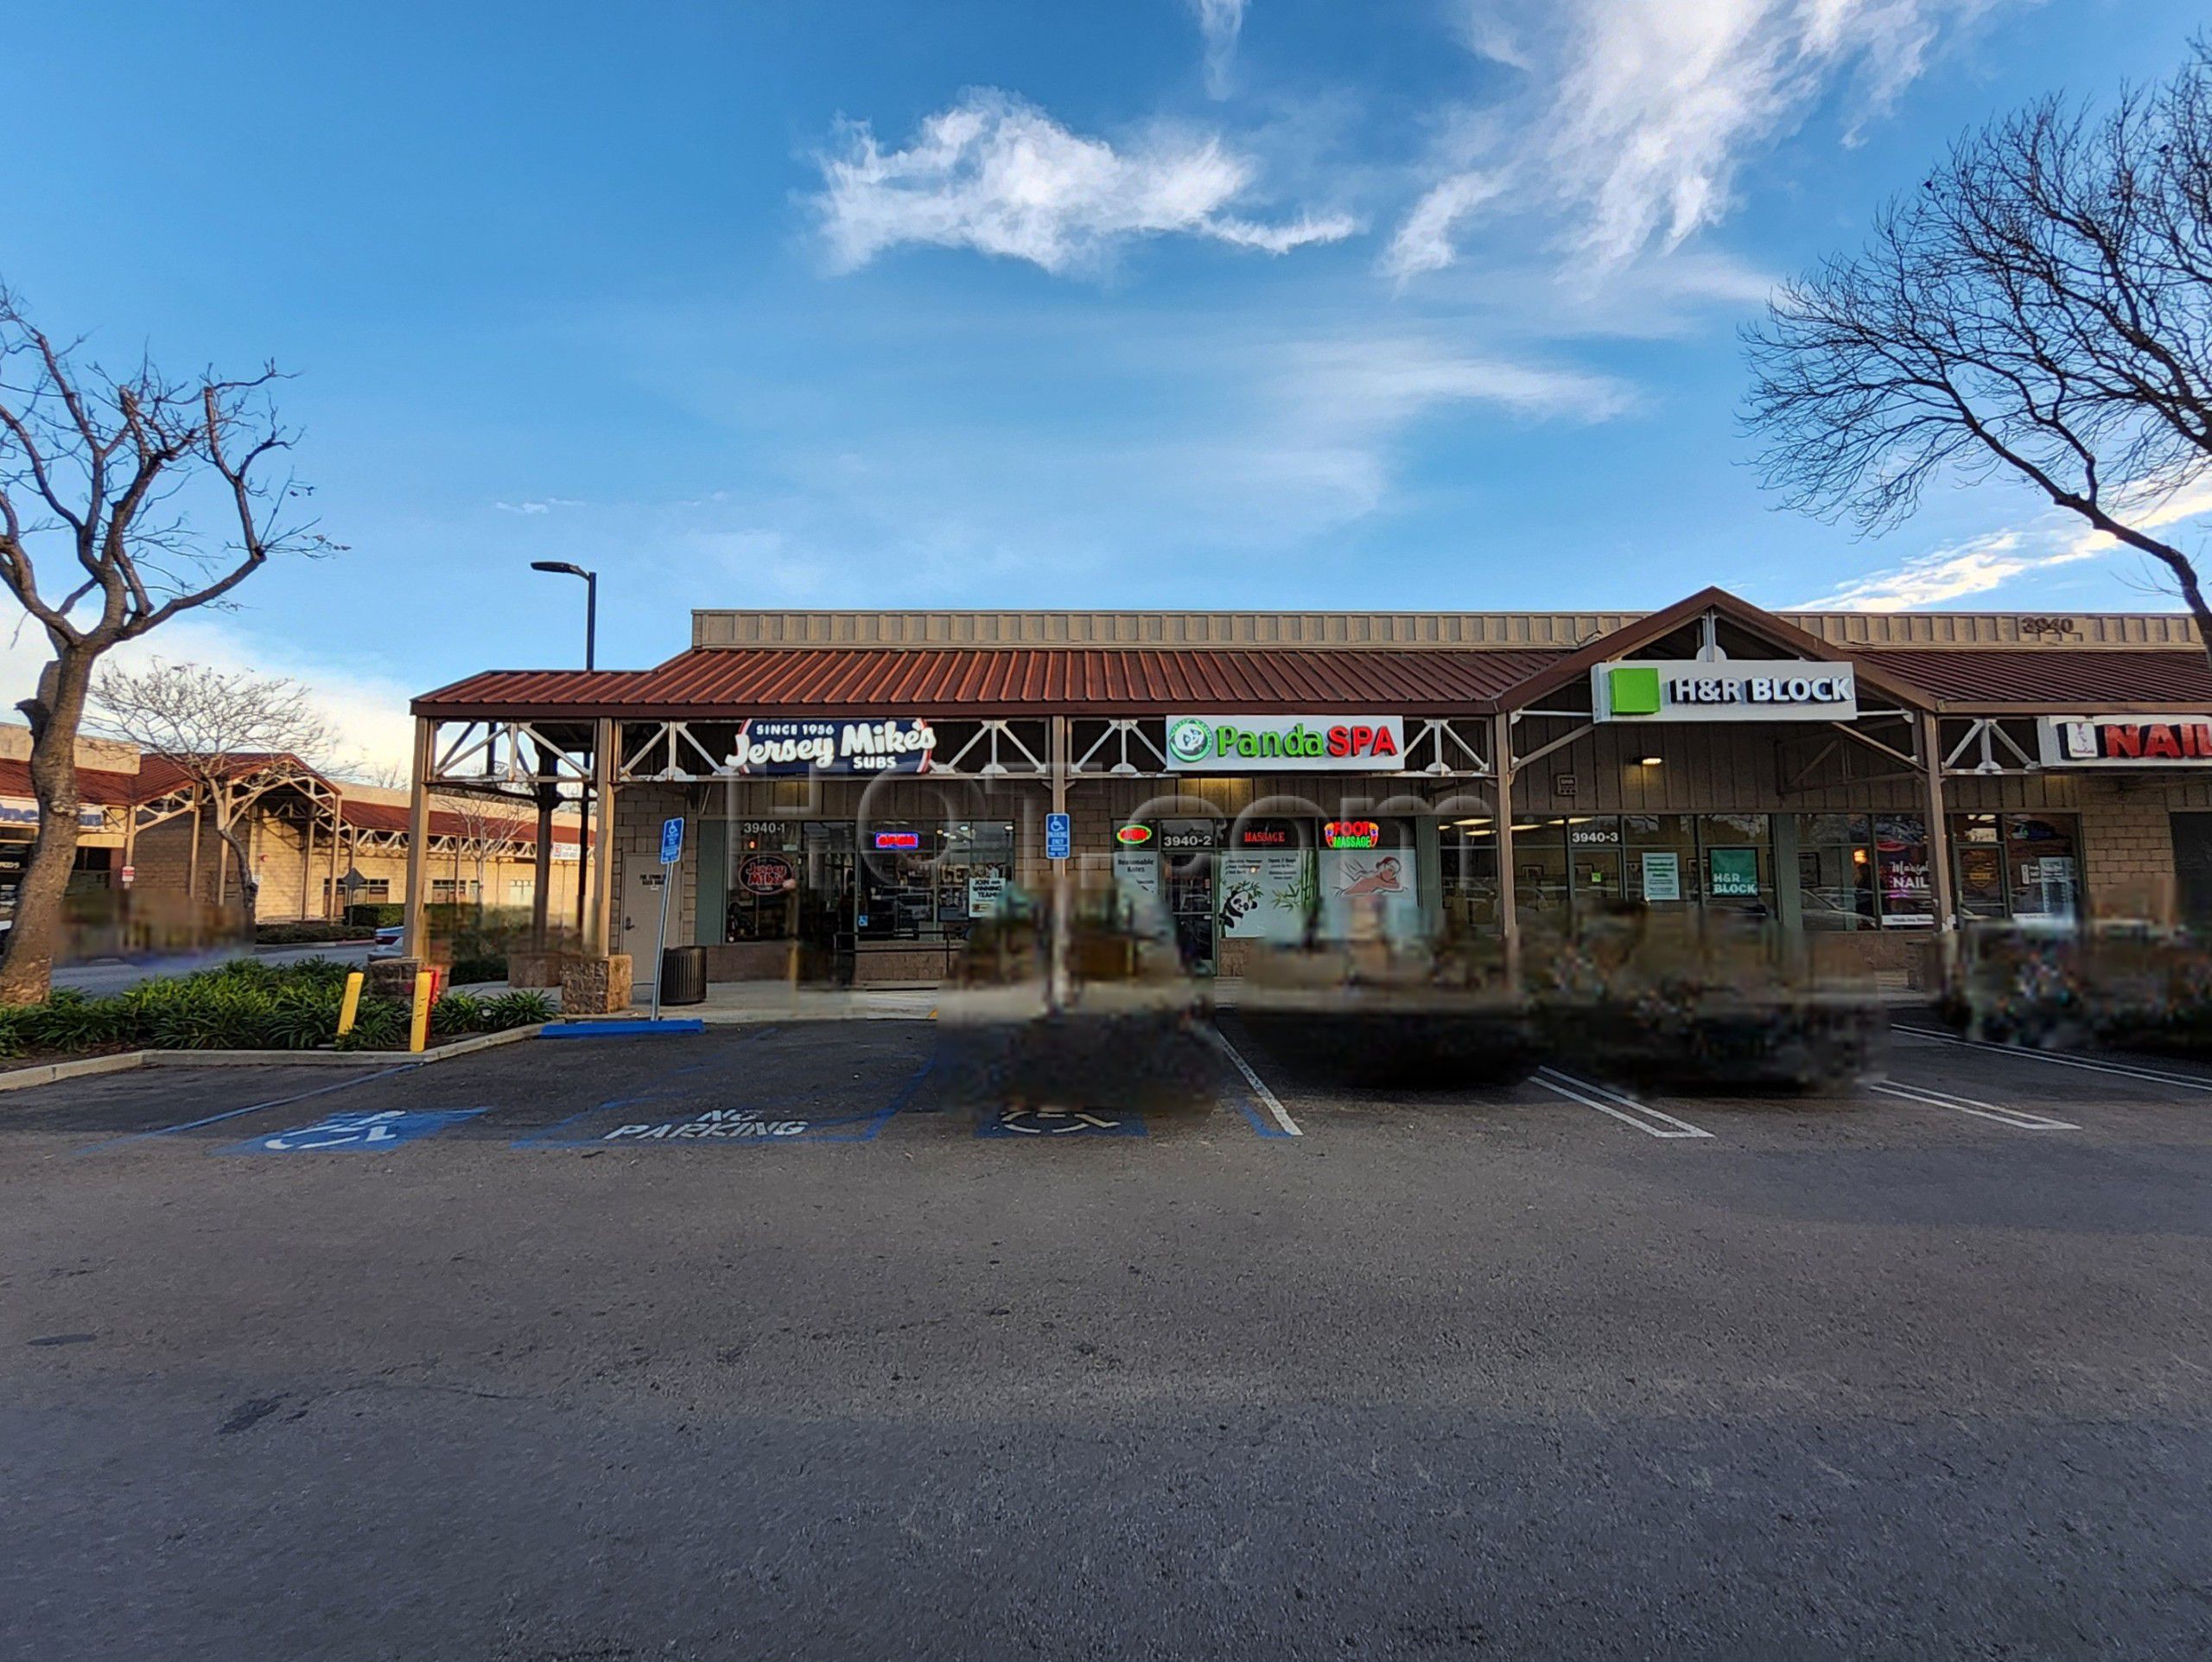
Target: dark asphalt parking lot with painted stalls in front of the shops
[[802, 1342]]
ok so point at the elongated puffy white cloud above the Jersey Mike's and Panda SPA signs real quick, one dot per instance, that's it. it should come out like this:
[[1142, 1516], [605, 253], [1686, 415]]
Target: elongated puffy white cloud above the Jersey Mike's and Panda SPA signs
[[1003, 178]]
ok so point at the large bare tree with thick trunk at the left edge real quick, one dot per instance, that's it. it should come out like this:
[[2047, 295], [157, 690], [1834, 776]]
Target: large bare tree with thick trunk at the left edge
[[101, 479]]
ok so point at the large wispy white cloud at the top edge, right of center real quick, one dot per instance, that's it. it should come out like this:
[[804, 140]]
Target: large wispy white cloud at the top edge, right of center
[[1638, 116]]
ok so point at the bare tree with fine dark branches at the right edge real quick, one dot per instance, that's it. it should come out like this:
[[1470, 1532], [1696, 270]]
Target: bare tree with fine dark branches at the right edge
[[2041, 309]]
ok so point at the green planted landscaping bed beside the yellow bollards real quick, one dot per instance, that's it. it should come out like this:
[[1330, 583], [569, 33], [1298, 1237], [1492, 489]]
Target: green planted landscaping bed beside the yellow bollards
[[244, 1006]]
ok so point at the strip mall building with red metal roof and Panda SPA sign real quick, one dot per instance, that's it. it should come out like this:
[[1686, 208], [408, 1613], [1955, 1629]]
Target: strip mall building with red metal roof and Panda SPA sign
[[857, 789]]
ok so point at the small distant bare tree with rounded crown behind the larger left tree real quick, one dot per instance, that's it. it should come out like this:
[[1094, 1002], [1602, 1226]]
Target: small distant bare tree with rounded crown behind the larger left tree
[[231, 734]]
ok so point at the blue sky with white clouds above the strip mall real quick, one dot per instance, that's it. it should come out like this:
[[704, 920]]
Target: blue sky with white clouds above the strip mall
[[1138, 304]]
